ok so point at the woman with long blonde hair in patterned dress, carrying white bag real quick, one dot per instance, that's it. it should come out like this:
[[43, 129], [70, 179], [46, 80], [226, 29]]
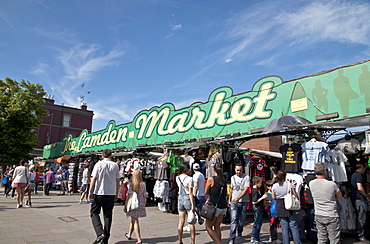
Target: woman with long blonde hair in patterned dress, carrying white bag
[[136, 189]]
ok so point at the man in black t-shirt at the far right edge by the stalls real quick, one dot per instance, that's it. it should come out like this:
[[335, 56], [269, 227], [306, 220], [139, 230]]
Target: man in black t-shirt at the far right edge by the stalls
[[360, 200]]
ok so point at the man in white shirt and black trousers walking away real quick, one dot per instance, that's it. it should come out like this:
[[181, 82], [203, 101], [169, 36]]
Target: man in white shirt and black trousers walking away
[[103, 193]]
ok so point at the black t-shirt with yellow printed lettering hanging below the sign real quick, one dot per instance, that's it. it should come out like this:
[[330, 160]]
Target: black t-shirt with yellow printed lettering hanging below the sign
[[291, 157]]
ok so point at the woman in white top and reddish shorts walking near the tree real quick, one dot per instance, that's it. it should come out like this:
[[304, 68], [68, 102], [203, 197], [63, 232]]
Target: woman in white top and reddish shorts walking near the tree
[[20, 179]]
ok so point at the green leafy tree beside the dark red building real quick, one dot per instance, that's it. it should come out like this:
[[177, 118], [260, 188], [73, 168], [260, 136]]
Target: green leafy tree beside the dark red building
[[20, 112]]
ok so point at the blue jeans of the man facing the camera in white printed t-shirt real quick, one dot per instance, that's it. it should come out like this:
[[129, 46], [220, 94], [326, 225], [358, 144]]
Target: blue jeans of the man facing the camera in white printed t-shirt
[[238, 212]]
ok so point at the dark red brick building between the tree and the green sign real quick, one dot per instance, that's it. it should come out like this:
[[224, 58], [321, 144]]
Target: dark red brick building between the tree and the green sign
[[61, 121]]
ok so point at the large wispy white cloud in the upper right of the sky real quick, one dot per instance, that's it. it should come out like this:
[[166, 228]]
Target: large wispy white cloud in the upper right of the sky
[[258, 30]]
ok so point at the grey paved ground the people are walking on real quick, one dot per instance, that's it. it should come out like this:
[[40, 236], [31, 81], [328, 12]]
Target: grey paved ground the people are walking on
[[60, 219]]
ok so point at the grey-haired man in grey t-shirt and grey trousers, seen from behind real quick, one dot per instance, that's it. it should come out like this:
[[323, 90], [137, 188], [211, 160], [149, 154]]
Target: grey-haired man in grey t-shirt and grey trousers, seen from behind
[[325, 193]]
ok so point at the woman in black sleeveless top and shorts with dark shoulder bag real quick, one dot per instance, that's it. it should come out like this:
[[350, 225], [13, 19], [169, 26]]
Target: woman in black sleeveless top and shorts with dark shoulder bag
[[216, 189]]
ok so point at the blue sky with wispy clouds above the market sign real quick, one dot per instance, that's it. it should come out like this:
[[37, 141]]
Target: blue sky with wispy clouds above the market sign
[[135, 54]]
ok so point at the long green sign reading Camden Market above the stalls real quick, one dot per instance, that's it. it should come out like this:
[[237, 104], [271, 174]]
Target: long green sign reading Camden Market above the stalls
[[343, 90]]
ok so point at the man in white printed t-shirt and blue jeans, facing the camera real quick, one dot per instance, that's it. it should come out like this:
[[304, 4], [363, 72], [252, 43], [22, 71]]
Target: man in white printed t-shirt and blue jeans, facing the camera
[[238, 201]]
